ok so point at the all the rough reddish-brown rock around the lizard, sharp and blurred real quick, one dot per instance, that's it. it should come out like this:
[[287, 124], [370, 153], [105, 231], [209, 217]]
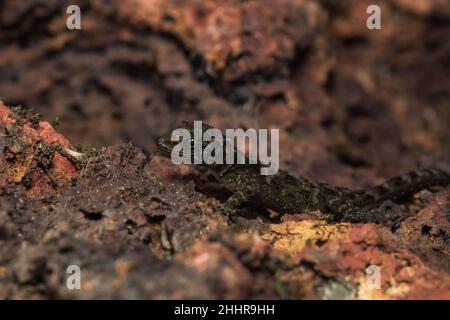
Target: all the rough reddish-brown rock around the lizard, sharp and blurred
[[353, 107]]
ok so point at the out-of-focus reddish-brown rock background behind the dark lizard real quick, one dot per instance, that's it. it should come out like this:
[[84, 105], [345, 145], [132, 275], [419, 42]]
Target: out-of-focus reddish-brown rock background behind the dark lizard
[[353, 105]]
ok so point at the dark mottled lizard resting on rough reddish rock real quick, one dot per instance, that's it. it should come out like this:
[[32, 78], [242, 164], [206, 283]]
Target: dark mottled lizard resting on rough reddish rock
[[284, 193]]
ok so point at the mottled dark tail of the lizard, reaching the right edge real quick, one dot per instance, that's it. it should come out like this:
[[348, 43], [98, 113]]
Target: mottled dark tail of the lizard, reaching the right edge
[[400, 187]]
